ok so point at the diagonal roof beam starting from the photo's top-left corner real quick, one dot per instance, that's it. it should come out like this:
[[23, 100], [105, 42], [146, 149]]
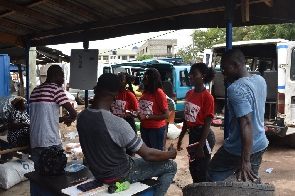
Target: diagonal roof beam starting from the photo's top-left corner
[[32, 13]]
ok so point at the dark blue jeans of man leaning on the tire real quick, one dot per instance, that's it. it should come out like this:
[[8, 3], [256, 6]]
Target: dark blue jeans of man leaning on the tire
[[223, 164]]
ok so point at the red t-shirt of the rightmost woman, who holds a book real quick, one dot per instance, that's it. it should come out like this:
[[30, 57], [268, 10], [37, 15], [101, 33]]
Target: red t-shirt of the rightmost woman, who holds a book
[[197, 106]]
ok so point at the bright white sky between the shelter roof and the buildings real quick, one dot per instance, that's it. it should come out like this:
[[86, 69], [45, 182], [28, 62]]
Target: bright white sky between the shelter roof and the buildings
[[183, 39]]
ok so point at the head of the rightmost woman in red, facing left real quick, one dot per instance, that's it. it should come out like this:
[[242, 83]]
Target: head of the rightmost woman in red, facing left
[[200, 74]]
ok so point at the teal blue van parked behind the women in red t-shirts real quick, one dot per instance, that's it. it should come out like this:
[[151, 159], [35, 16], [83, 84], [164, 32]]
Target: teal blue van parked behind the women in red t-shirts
[[174, 79]]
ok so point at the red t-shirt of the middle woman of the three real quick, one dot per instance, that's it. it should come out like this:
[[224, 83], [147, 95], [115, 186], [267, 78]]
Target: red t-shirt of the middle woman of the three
[[153, 104]]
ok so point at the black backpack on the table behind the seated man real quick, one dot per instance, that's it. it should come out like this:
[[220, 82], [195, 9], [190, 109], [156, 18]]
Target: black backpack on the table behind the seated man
[[52, 161]]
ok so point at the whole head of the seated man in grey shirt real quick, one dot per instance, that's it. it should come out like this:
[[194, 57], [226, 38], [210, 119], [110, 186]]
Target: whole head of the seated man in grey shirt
[[107, 86]]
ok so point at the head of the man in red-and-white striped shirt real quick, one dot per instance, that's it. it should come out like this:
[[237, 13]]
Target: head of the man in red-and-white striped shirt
[[55, 75]]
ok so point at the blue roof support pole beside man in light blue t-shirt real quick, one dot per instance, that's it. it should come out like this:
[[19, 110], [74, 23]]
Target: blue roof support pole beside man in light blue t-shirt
[[229, 17]]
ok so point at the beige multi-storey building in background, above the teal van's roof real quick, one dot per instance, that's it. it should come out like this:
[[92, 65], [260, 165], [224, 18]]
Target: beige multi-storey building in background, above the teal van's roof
[[158, 48]]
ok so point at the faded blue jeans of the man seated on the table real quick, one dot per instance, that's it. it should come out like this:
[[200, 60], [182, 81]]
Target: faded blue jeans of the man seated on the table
[[141, 170]]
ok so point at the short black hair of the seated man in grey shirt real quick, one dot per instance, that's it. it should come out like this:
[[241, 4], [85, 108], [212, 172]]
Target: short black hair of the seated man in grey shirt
[[108, 82]]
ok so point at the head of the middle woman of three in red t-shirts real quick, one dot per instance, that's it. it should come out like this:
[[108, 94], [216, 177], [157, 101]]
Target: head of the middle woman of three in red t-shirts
[[152, 80]]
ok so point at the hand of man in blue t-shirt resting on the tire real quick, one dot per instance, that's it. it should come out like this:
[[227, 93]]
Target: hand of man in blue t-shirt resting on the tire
[[244, 172]]
